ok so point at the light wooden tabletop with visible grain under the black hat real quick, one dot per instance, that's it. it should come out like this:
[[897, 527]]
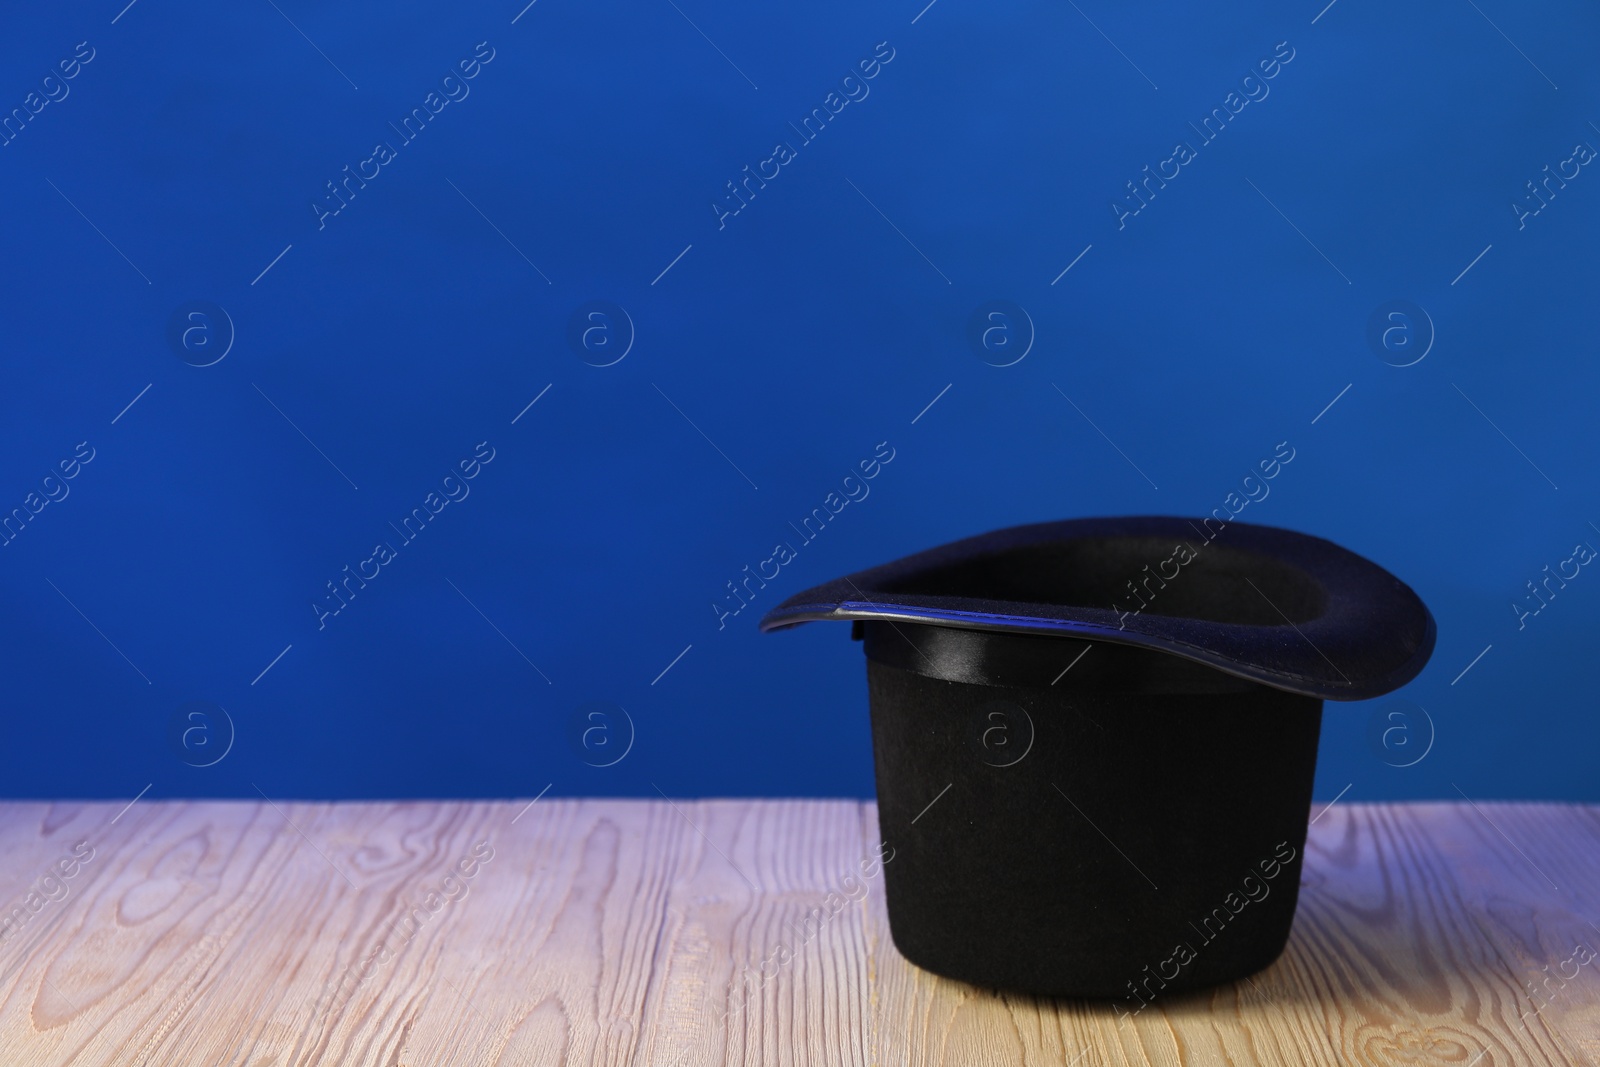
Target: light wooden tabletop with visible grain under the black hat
[[423, 935]]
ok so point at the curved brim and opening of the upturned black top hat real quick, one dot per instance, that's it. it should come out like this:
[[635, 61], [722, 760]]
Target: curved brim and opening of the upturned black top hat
[[1271, 605]]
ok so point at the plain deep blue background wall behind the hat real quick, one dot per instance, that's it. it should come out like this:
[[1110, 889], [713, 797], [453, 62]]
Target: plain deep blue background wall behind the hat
[[770, 356]]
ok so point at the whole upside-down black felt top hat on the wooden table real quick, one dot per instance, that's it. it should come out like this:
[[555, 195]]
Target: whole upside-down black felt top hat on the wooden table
[[1132, 825]]
